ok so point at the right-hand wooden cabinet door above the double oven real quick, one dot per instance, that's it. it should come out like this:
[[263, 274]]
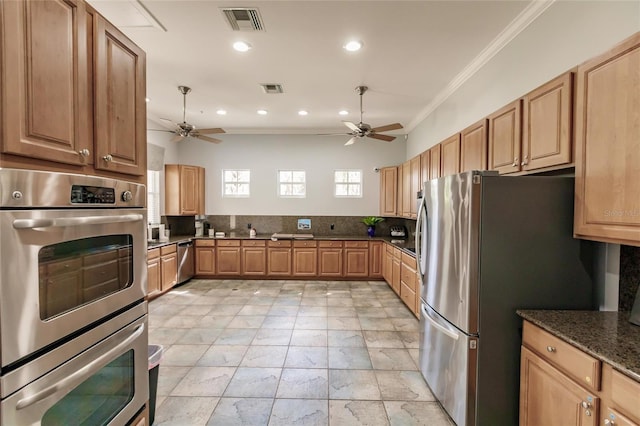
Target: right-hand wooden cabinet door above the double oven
[[120, 108]]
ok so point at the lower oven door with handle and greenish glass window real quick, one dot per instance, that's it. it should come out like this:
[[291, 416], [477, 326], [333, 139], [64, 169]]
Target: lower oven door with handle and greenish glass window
[[106, 384]]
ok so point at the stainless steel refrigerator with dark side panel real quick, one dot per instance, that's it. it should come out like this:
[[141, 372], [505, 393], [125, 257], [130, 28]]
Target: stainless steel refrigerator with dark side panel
[[486, 246]]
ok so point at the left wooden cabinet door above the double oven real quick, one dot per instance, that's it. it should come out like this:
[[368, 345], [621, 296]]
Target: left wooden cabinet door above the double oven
[[45, 81]]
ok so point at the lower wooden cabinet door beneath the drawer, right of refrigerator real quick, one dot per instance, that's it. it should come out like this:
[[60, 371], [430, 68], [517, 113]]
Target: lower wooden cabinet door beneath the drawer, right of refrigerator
[[548, 397]]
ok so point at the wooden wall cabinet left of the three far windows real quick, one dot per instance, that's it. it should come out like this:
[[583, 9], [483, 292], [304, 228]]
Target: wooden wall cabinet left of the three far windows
[[184, 190]]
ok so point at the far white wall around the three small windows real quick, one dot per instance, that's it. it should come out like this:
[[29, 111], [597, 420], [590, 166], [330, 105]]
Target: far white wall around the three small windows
[[264, 155]]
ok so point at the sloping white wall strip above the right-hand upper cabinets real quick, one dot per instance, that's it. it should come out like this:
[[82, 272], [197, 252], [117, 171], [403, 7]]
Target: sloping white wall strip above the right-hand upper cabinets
[[565, 35]]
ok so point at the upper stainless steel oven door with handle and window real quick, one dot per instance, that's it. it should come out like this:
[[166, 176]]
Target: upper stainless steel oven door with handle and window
[[67, 270]]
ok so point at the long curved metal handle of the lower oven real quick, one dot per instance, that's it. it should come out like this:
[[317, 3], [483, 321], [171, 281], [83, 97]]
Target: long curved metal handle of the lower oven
[[82, 374]]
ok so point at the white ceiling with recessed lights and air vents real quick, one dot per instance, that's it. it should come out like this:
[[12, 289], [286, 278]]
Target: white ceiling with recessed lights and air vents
[[412, 52]]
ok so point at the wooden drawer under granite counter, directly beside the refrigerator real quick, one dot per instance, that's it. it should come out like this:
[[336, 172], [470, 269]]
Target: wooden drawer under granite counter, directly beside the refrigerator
[[583, 368]]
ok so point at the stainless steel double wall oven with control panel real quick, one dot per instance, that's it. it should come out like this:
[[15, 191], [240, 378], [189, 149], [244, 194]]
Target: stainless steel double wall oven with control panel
[[73, 319]]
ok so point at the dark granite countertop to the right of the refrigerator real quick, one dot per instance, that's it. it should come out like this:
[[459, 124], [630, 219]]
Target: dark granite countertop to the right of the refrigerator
[[607, 336]]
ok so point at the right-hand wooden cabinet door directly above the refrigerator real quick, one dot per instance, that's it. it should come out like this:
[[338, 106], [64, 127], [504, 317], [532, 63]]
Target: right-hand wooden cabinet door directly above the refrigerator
[[546, 124]]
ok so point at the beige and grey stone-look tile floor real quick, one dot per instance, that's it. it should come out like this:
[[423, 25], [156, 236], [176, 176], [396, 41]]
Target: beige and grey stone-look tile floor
[[288, 353]]
